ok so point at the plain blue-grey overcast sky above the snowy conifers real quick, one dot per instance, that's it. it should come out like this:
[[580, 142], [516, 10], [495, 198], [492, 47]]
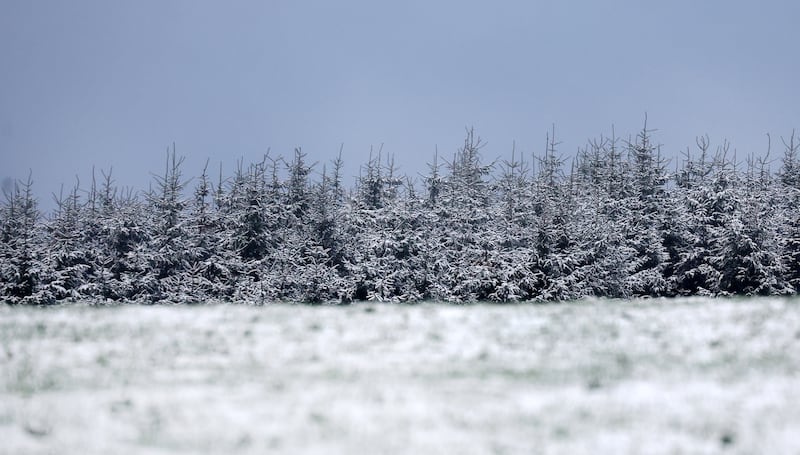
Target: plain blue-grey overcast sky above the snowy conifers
[[113, 83]]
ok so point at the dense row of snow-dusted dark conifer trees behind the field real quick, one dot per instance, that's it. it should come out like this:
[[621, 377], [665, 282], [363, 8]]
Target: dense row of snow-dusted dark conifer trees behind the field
[[615, 221]]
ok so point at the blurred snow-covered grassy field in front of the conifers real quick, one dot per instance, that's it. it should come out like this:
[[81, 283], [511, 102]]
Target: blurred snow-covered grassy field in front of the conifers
[[656, 376]]
